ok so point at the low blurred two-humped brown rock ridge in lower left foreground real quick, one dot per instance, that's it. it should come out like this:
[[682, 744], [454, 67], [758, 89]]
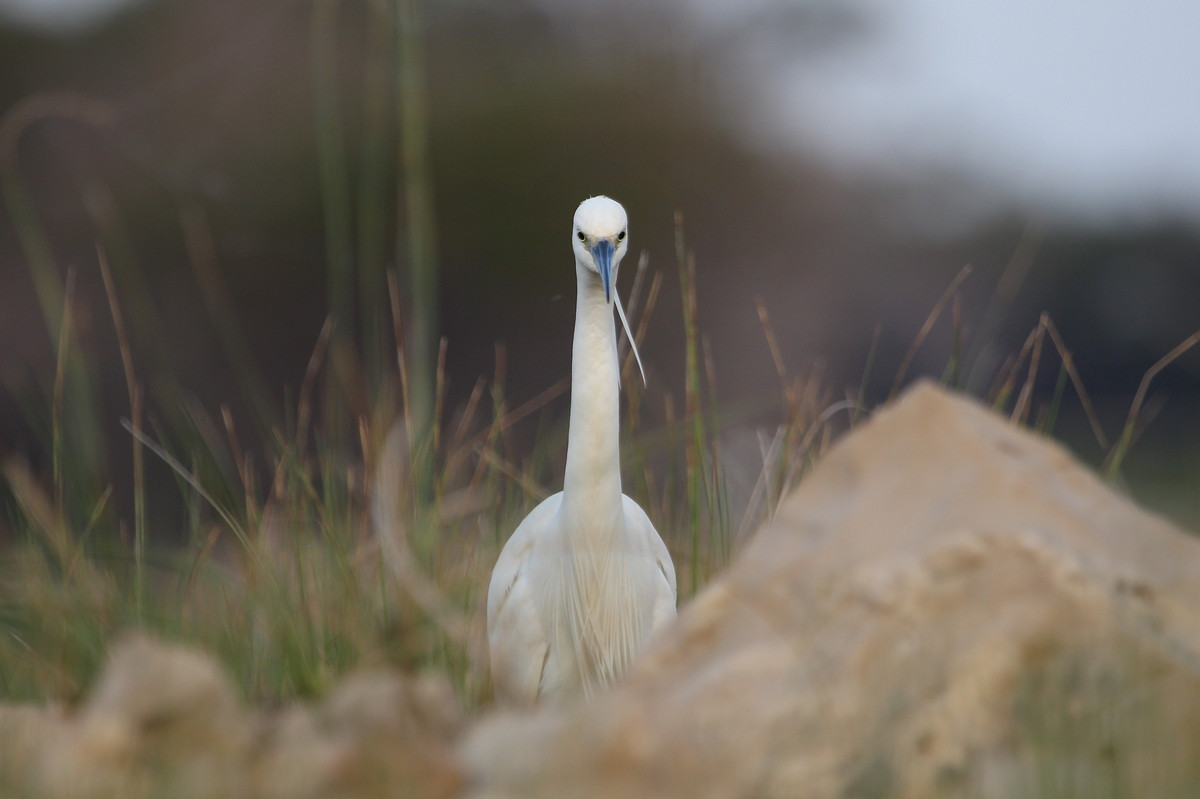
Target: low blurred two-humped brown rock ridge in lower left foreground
[[165, 722]]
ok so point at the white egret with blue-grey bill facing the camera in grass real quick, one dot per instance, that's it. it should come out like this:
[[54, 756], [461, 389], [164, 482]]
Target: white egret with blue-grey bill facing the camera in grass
[[585, 580]]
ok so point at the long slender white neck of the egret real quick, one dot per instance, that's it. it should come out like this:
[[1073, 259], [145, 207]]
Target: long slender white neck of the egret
[[592, 484]]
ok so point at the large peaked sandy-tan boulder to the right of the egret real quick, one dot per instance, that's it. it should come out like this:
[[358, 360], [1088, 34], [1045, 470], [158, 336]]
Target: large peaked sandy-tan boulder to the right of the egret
[[947, 606]]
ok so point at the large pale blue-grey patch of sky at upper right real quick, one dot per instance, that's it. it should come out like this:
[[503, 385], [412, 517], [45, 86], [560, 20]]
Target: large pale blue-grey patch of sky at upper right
[[1085, 107]]
